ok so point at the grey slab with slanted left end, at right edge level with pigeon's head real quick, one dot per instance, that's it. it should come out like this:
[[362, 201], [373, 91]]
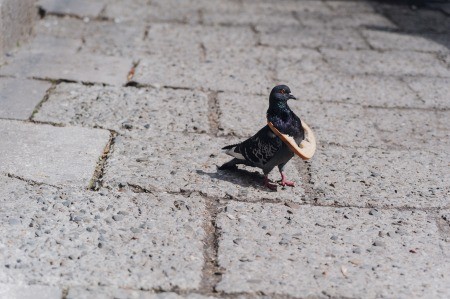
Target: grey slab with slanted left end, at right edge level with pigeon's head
[[432, 91]]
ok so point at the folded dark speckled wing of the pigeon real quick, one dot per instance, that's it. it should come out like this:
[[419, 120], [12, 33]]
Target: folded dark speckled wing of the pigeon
[[260, 148]]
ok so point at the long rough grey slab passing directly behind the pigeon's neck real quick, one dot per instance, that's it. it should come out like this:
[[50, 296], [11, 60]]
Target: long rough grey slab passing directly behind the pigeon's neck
[[341, 123]]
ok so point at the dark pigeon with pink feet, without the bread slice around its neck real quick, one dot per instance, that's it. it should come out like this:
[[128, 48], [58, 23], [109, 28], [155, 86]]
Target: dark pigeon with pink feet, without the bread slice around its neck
[[266, 150]]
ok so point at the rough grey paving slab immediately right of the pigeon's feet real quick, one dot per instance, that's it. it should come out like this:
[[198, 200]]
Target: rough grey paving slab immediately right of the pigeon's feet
[[380, 177]]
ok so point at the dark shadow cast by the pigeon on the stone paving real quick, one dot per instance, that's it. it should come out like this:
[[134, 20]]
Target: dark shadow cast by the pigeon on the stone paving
[[238, 176]]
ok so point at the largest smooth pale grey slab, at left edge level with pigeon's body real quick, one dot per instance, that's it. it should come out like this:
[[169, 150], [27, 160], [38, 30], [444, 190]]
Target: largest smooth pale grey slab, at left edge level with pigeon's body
[[52, 155]]
